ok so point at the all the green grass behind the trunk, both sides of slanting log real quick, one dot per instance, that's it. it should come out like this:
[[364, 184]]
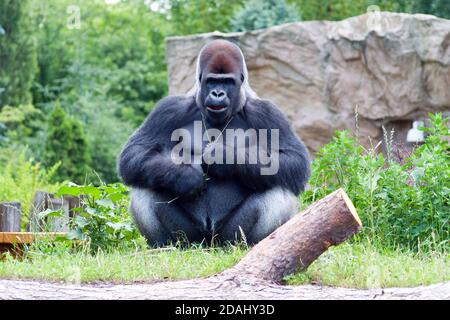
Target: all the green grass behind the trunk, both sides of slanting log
[[349, 265]]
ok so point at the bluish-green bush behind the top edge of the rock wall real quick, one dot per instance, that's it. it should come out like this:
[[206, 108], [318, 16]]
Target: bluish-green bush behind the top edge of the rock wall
[[259, 14]]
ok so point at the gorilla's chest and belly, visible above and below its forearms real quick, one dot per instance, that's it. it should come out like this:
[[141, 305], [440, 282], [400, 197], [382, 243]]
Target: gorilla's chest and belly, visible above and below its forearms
[[222, 196]]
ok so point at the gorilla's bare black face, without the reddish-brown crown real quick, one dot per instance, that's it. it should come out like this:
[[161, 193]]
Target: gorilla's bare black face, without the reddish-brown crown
[[220, 96]]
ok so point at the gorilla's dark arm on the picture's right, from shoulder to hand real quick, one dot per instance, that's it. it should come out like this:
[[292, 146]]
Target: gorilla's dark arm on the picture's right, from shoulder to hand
[[294, 163]]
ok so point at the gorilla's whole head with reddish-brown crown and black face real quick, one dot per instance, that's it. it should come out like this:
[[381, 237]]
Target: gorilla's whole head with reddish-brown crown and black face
[[220, 80]]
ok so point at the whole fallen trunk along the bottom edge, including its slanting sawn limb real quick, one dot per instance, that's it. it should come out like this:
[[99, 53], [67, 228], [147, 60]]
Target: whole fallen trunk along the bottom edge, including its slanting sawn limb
[[293, 246]]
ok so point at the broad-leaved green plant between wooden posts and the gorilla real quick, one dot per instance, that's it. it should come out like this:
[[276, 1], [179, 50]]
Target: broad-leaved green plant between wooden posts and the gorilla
[[103, 220]]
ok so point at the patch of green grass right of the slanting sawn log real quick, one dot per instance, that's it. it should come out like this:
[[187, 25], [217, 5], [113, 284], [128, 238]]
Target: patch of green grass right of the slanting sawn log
[[363, 265]]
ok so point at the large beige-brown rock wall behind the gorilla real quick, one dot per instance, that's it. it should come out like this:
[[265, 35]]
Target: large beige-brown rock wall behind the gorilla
[[390, 67]]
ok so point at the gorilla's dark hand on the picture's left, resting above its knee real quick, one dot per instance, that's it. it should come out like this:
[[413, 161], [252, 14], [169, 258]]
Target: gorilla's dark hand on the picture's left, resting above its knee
[[190, 182]]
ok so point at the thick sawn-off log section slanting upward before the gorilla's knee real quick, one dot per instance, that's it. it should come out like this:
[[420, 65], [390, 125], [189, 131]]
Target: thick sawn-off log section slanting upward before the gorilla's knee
[[301, 240]]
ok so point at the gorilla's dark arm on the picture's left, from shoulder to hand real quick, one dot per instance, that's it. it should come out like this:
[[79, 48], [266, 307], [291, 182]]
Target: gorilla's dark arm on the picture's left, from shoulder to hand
[[145, 160]]
